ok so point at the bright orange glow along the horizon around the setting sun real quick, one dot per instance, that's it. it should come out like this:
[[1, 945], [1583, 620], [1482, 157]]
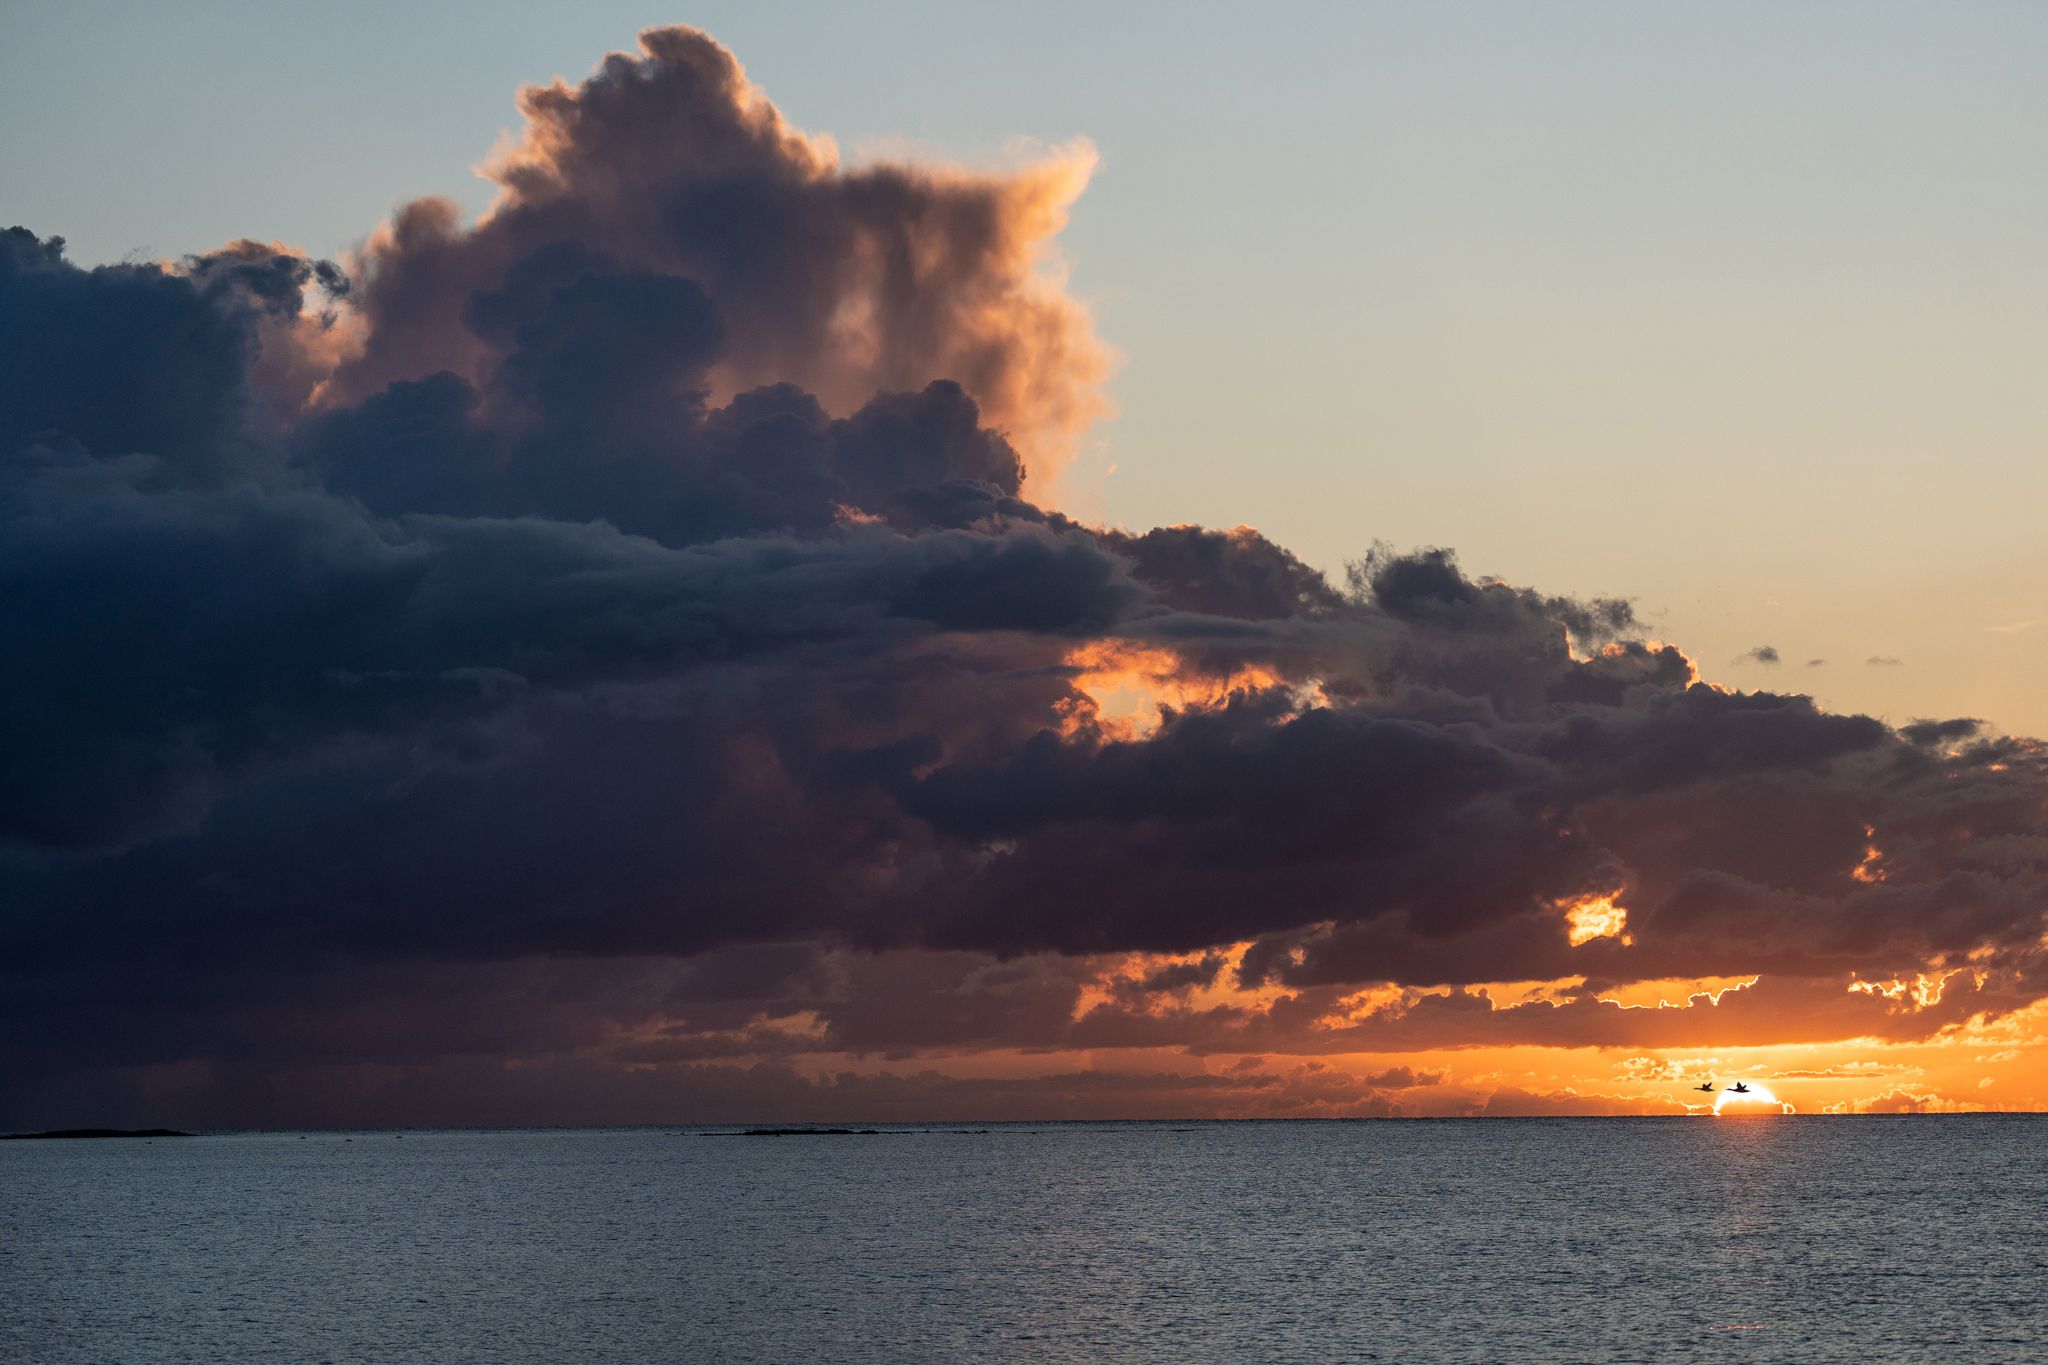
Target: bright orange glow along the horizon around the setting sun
[[1258, 1034]]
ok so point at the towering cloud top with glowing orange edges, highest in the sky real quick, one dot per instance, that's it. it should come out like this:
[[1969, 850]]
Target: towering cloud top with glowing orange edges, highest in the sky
[[671, 165]]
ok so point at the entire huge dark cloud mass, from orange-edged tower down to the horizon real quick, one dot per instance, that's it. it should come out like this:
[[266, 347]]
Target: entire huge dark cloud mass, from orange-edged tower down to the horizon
[[615, 660]]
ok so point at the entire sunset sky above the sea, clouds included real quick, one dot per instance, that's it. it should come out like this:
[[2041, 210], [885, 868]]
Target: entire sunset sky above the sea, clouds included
[[456, 685]]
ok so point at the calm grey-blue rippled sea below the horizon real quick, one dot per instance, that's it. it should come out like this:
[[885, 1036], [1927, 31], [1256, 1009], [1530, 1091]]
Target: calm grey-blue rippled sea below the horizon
[[1422, 1241]]
